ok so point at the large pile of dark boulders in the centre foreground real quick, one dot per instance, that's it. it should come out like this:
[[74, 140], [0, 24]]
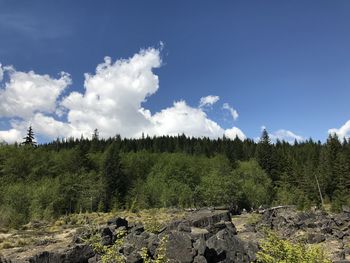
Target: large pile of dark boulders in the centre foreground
[[203, 236]]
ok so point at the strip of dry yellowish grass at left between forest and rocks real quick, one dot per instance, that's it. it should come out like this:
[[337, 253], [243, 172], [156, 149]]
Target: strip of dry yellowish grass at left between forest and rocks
[[61, 231]]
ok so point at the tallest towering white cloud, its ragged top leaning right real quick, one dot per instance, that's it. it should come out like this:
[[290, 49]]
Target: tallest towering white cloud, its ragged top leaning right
[[113, 96]]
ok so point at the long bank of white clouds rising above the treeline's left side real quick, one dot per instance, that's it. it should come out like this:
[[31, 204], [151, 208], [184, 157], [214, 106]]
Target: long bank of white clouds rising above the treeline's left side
[[111, 102]]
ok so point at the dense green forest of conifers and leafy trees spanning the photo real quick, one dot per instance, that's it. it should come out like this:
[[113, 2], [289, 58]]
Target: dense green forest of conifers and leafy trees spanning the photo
[[84, 175]]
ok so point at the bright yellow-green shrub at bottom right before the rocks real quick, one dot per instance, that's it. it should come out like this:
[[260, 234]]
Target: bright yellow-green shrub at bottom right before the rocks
[[274, 249]]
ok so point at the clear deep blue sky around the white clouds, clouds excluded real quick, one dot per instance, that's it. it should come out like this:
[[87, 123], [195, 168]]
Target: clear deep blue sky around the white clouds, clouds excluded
[[280, 64]]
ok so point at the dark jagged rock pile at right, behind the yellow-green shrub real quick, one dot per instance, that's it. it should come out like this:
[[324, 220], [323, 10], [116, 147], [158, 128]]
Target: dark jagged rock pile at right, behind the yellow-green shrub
[[332, 230]]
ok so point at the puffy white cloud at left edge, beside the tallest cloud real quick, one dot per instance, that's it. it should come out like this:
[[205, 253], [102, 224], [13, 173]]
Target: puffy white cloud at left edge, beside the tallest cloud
[[27, 93]]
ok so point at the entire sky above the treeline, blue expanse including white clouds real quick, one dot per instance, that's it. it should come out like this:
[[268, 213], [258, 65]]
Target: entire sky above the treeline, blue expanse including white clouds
[[203, 68]]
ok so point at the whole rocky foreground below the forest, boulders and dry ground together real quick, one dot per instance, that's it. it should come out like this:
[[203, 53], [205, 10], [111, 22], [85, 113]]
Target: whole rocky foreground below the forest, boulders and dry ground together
[[206, 235]]
